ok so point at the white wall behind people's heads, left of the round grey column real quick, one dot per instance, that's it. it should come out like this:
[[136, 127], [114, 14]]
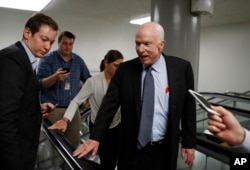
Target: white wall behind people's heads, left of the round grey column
[[93, 37]]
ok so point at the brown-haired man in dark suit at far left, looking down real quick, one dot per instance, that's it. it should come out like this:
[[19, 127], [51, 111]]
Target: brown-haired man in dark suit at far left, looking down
[[20, 109]]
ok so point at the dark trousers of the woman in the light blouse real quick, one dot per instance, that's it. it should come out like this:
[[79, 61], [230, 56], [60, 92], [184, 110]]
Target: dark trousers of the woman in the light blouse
[[108, 149]]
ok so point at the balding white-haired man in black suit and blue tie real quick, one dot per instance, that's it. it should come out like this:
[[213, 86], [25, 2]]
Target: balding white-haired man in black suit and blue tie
[[173, 113]]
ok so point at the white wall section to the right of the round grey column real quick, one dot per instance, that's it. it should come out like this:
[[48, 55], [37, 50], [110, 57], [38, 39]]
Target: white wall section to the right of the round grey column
[[225, 58]]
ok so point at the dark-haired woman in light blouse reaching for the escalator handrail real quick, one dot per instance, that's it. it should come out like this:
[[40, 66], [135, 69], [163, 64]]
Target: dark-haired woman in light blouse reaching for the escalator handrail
[[94, 90]]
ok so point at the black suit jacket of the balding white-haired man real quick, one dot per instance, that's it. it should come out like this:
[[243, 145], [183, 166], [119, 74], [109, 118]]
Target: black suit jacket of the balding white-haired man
[[125, 90]]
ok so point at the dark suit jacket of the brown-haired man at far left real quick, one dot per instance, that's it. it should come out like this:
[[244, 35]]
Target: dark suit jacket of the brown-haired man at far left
[[20, 115]]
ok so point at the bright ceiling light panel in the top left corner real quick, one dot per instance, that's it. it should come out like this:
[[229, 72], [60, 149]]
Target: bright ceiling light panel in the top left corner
[[30, 5]]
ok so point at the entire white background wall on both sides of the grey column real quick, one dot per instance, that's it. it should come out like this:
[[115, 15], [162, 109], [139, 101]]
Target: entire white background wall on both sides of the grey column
[[224, 50]]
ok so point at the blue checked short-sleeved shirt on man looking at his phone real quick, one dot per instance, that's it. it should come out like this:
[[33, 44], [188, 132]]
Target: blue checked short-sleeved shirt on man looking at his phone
[[58, 93]]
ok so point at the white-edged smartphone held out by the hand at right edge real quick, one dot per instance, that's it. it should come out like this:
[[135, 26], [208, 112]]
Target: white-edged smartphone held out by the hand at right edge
[[203, 102]]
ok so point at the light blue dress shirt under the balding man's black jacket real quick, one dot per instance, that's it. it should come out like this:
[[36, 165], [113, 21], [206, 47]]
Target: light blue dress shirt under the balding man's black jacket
[[161, 108]]
